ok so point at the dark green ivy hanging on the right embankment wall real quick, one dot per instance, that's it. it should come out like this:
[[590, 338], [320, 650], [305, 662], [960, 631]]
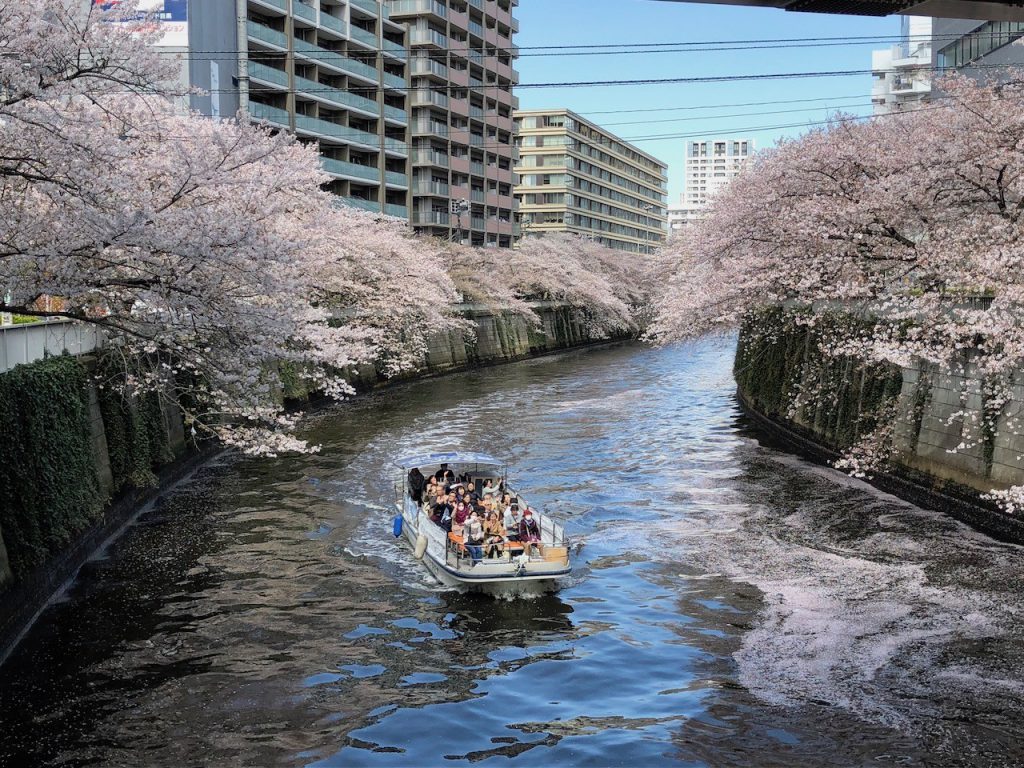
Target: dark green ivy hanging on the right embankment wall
[[782, 371]]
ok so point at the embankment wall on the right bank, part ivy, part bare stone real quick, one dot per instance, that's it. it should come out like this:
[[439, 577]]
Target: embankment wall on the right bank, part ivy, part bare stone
[[953, 436]]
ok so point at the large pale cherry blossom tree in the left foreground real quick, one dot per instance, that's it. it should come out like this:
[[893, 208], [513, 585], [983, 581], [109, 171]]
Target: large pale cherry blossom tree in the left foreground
[[206, 250]]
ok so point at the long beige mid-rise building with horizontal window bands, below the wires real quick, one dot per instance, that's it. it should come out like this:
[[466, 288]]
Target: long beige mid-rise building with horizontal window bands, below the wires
[[577, 178]]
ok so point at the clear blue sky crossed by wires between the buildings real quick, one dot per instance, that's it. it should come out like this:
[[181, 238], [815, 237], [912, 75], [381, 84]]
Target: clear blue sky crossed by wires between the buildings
[[548, 23]]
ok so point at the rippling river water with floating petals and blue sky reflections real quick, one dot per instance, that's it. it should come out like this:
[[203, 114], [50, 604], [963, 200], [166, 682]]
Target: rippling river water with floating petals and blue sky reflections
[[731, 606]]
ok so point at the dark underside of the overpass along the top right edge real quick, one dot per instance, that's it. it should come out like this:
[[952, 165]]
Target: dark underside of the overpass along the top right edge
[[996, 12]]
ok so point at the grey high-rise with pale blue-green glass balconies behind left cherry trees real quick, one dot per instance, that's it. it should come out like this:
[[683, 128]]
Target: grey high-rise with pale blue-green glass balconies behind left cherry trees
[[333, 72]]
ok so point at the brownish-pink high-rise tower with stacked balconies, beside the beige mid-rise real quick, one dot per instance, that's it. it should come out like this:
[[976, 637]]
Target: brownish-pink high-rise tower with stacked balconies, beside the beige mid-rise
[[463, 70]]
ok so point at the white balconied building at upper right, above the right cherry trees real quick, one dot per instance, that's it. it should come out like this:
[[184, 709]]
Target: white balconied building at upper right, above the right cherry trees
[[903, 74]]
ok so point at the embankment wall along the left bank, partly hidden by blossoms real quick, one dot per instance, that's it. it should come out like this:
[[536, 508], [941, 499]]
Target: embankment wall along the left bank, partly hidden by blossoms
[[77, 461]]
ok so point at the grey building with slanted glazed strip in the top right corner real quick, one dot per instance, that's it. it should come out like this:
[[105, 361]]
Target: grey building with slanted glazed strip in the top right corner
[[980, 50]]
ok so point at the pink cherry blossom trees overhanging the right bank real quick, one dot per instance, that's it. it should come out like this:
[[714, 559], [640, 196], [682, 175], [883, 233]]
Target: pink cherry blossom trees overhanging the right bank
[[913, 220]]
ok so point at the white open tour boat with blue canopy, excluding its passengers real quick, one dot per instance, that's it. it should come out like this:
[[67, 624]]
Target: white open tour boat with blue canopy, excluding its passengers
[[519, 571]]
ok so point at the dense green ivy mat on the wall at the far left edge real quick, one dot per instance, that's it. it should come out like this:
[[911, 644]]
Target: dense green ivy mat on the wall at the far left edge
[[49, 486]]
